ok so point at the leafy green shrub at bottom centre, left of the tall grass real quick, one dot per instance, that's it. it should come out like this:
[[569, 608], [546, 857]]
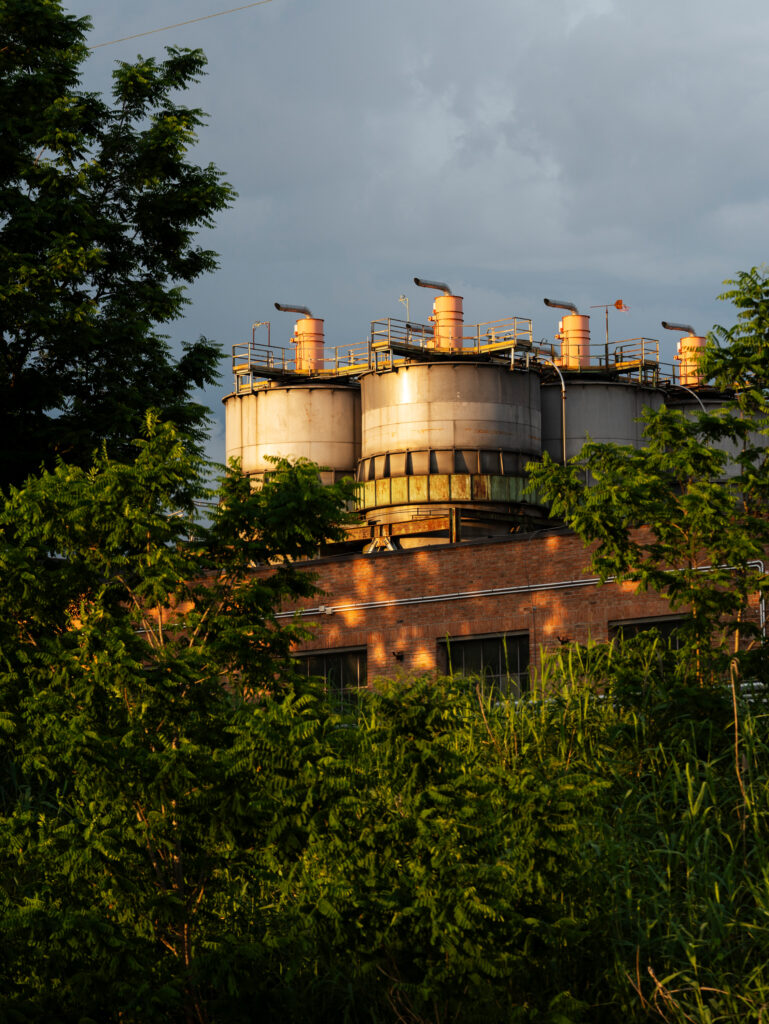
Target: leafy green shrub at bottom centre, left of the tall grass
[[439, 879]]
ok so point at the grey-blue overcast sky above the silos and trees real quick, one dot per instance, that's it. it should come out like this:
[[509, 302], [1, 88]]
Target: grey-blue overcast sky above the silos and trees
[[584, 150]]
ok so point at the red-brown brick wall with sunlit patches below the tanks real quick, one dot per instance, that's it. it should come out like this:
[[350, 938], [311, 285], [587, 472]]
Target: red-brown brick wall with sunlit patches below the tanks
[[405, 603]]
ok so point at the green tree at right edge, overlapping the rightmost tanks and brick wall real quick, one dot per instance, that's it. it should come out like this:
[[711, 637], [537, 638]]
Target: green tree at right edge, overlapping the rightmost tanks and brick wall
[[686, 516]]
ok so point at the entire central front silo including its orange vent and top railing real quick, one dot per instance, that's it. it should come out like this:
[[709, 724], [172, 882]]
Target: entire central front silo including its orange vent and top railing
[[448, 430]]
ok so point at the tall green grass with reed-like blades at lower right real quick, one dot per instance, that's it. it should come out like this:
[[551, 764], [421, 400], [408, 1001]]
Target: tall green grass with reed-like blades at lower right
[[677, 872]]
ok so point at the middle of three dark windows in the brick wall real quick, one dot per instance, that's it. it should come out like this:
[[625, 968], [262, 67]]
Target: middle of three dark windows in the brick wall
[[500, 661]]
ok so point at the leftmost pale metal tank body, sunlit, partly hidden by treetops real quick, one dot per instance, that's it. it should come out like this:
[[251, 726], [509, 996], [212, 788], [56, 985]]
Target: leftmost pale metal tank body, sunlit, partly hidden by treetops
[[320, 422]]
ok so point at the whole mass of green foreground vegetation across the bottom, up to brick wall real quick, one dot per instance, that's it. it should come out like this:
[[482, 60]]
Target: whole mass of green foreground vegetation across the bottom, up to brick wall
[[190, 834]]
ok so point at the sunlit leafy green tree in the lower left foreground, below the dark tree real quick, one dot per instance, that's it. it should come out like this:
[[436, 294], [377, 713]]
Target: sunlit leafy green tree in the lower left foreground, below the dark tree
[[133, 642]]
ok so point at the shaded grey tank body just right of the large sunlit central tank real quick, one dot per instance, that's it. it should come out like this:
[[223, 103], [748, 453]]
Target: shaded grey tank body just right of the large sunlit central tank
[[608, 411]]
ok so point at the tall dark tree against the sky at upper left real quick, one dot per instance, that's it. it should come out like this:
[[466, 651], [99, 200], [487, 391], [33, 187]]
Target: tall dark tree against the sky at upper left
[[99, 214]]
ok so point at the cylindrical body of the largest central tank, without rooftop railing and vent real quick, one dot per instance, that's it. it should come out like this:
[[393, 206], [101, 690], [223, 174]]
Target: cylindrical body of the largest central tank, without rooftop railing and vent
[[439, 435]]
